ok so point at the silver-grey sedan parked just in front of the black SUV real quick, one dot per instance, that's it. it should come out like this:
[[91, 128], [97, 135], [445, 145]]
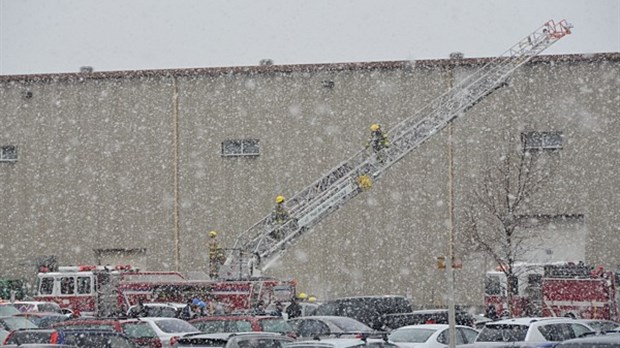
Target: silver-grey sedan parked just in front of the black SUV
[[321, 326]]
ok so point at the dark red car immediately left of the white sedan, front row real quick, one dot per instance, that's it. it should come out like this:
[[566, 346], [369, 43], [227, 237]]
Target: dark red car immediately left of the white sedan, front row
[[140, 332]]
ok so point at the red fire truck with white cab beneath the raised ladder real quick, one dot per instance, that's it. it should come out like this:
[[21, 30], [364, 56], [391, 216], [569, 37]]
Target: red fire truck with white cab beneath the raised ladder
[[107, 291]]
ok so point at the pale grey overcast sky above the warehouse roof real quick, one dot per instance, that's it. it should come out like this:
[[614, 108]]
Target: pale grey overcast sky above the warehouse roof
[[50, 36]]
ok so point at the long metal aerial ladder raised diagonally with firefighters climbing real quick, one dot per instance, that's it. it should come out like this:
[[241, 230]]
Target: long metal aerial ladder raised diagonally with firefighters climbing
[[258, 247]]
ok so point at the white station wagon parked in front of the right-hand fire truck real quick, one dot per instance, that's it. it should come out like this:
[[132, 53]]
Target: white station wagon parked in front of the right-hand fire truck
[[535, 330]]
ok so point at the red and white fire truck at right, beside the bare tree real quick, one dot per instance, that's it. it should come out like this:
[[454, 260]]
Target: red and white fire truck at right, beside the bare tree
[[563, 289]]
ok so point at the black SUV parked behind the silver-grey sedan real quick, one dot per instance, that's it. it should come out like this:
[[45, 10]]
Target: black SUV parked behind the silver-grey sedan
[[370, 310]]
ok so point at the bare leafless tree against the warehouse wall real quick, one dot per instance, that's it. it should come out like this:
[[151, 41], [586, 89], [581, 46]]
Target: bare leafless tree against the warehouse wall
[[498, 219]]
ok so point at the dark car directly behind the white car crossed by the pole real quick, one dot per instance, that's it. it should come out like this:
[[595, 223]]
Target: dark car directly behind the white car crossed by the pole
[[429, 316]]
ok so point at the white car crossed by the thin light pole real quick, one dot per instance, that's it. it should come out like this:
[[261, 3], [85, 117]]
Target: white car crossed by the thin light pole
[[430, 336]]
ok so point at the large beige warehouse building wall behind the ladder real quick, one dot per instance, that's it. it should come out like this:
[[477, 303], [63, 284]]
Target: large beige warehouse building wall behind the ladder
[[136, 167]]
